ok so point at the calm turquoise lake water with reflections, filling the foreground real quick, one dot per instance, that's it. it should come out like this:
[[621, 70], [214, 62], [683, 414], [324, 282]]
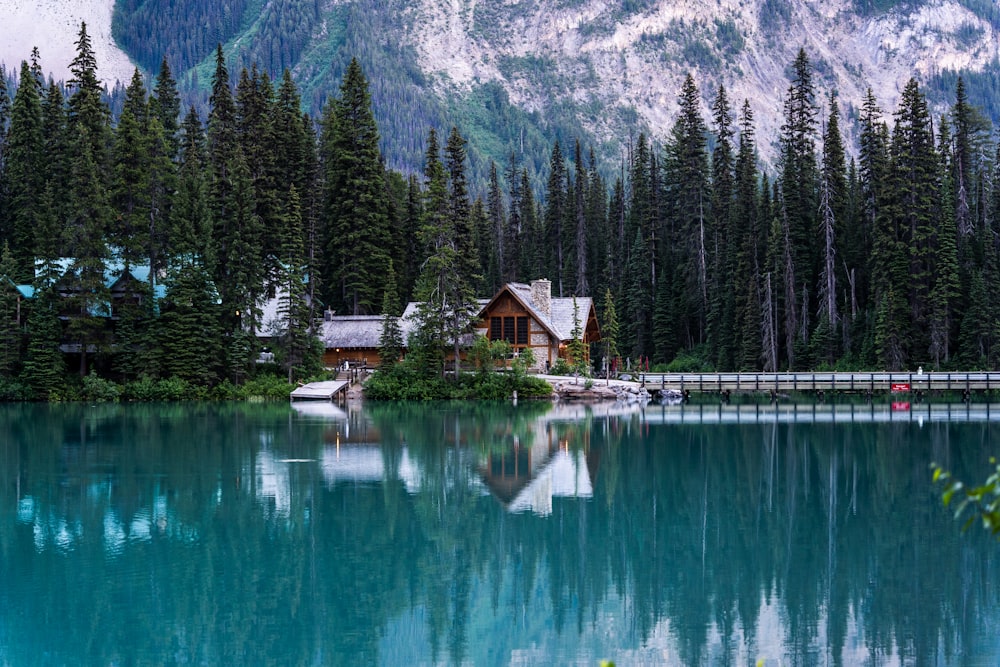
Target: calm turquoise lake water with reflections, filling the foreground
[[269, 534]]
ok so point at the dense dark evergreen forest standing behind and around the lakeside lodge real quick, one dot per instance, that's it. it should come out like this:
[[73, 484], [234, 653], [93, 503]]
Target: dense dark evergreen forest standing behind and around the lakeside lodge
[[883, 255]]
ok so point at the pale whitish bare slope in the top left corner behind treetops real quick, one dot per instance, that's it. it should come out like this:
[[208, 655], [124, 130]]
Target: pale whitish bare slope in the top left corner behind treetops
[[54, 26]]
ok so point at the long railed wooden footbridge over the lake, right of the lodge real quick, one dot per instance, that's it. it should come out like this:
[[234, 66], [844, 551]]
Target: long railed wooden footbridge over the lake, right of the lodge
[[917, 383]]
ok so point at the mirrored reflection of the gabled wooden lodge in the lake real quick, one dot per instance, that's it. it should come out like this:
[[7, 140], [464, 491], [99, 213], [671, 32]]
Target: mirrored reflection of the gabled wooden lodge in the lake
[[528, 477]]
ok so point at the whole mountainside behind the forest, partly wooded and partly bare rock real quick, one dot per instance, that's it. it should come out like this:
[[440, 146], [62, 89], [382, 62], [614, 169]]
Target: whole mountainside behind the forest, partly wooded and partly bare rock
[[515, 74]]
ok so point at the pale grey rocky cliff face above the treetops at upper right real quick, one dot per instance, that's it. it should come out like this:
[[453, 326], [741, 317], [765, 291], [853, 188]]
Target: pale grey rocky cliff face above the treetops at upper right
[[612, 57]]
